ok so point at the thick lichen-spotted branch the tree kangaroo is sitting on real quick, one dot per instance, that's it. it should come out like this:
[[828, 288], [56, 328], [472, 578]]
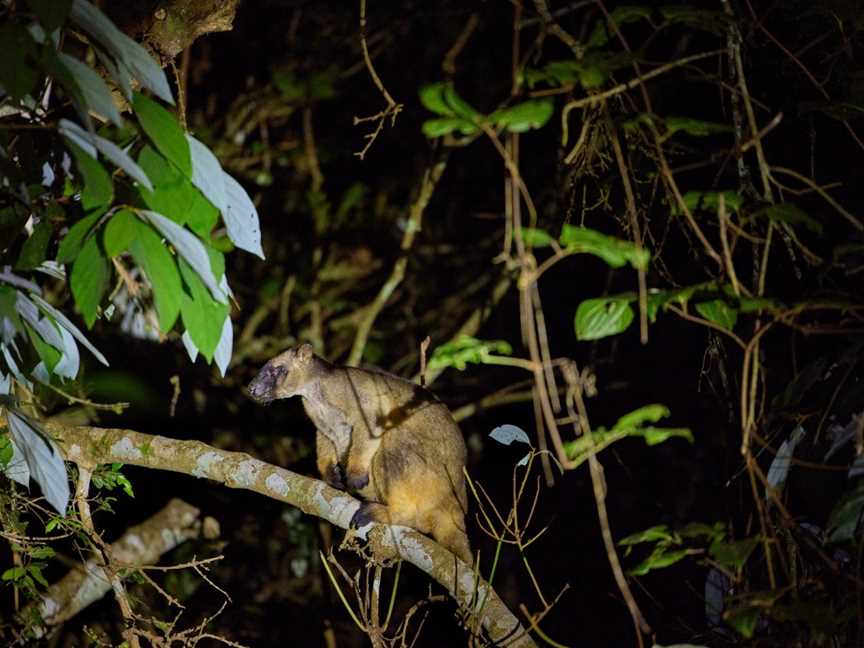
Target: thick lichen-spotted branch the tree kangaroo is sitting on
[[239, 470]]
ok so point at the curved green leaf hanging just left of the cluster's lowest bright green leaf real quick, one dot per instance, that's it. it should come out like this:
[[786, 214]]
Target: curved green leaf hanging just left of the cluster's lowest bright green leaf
[[158, 264]]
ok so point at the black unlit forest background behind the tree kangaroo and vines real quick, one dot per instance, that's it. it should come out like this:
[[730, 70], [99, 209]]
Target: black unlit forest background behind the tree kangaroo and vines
[[672, 484]]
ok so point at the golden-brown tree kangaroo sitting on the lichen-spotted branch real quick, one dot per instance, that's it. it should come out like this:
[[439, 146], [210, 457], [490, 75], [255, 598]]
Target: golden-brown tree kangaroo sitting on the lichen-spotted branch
[[384, 438]]
